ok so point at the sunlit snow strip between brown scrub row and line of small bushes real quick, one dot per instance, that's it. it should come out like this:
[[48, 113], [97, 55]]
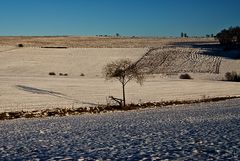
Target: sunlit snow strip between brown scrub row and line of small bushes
[[30, 93]]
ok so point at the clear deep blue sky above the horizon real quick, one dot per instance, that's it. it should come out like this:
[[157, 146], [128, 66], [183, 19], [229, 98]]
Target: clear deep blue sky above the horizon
[[127, 17]]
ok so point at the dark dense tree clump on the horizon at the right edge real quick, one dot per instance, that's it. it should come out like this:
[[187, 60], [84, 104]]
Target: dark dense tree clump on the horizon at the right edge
[[229, 38]]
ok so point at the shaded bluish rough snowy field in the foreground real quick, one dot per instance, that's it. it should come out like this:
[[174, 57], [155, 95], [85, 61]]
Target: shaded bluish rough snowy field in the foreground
[[208, 131]]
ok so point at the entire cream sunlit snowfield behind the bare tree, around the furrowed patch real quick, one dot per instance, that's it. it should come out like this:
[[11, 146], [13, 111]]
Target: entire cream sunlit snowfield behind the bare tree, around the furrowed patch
[[26, 85]]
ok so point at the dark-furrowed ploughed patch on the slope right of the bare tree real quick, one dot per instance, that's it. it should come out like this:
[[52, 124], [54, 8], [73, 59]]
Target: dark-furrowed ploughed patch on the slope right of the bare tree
[[177, 60]]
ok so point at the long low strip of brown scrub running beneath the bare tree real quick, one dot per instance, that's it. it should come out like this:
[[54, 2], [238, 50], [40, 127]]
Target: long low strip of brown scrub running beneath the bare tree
[[100, 109]]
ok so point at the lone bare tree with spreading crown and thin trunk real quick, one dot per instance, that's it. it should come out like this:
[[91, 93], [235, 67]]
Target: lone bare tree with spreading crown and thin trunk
[[124, 71]]
